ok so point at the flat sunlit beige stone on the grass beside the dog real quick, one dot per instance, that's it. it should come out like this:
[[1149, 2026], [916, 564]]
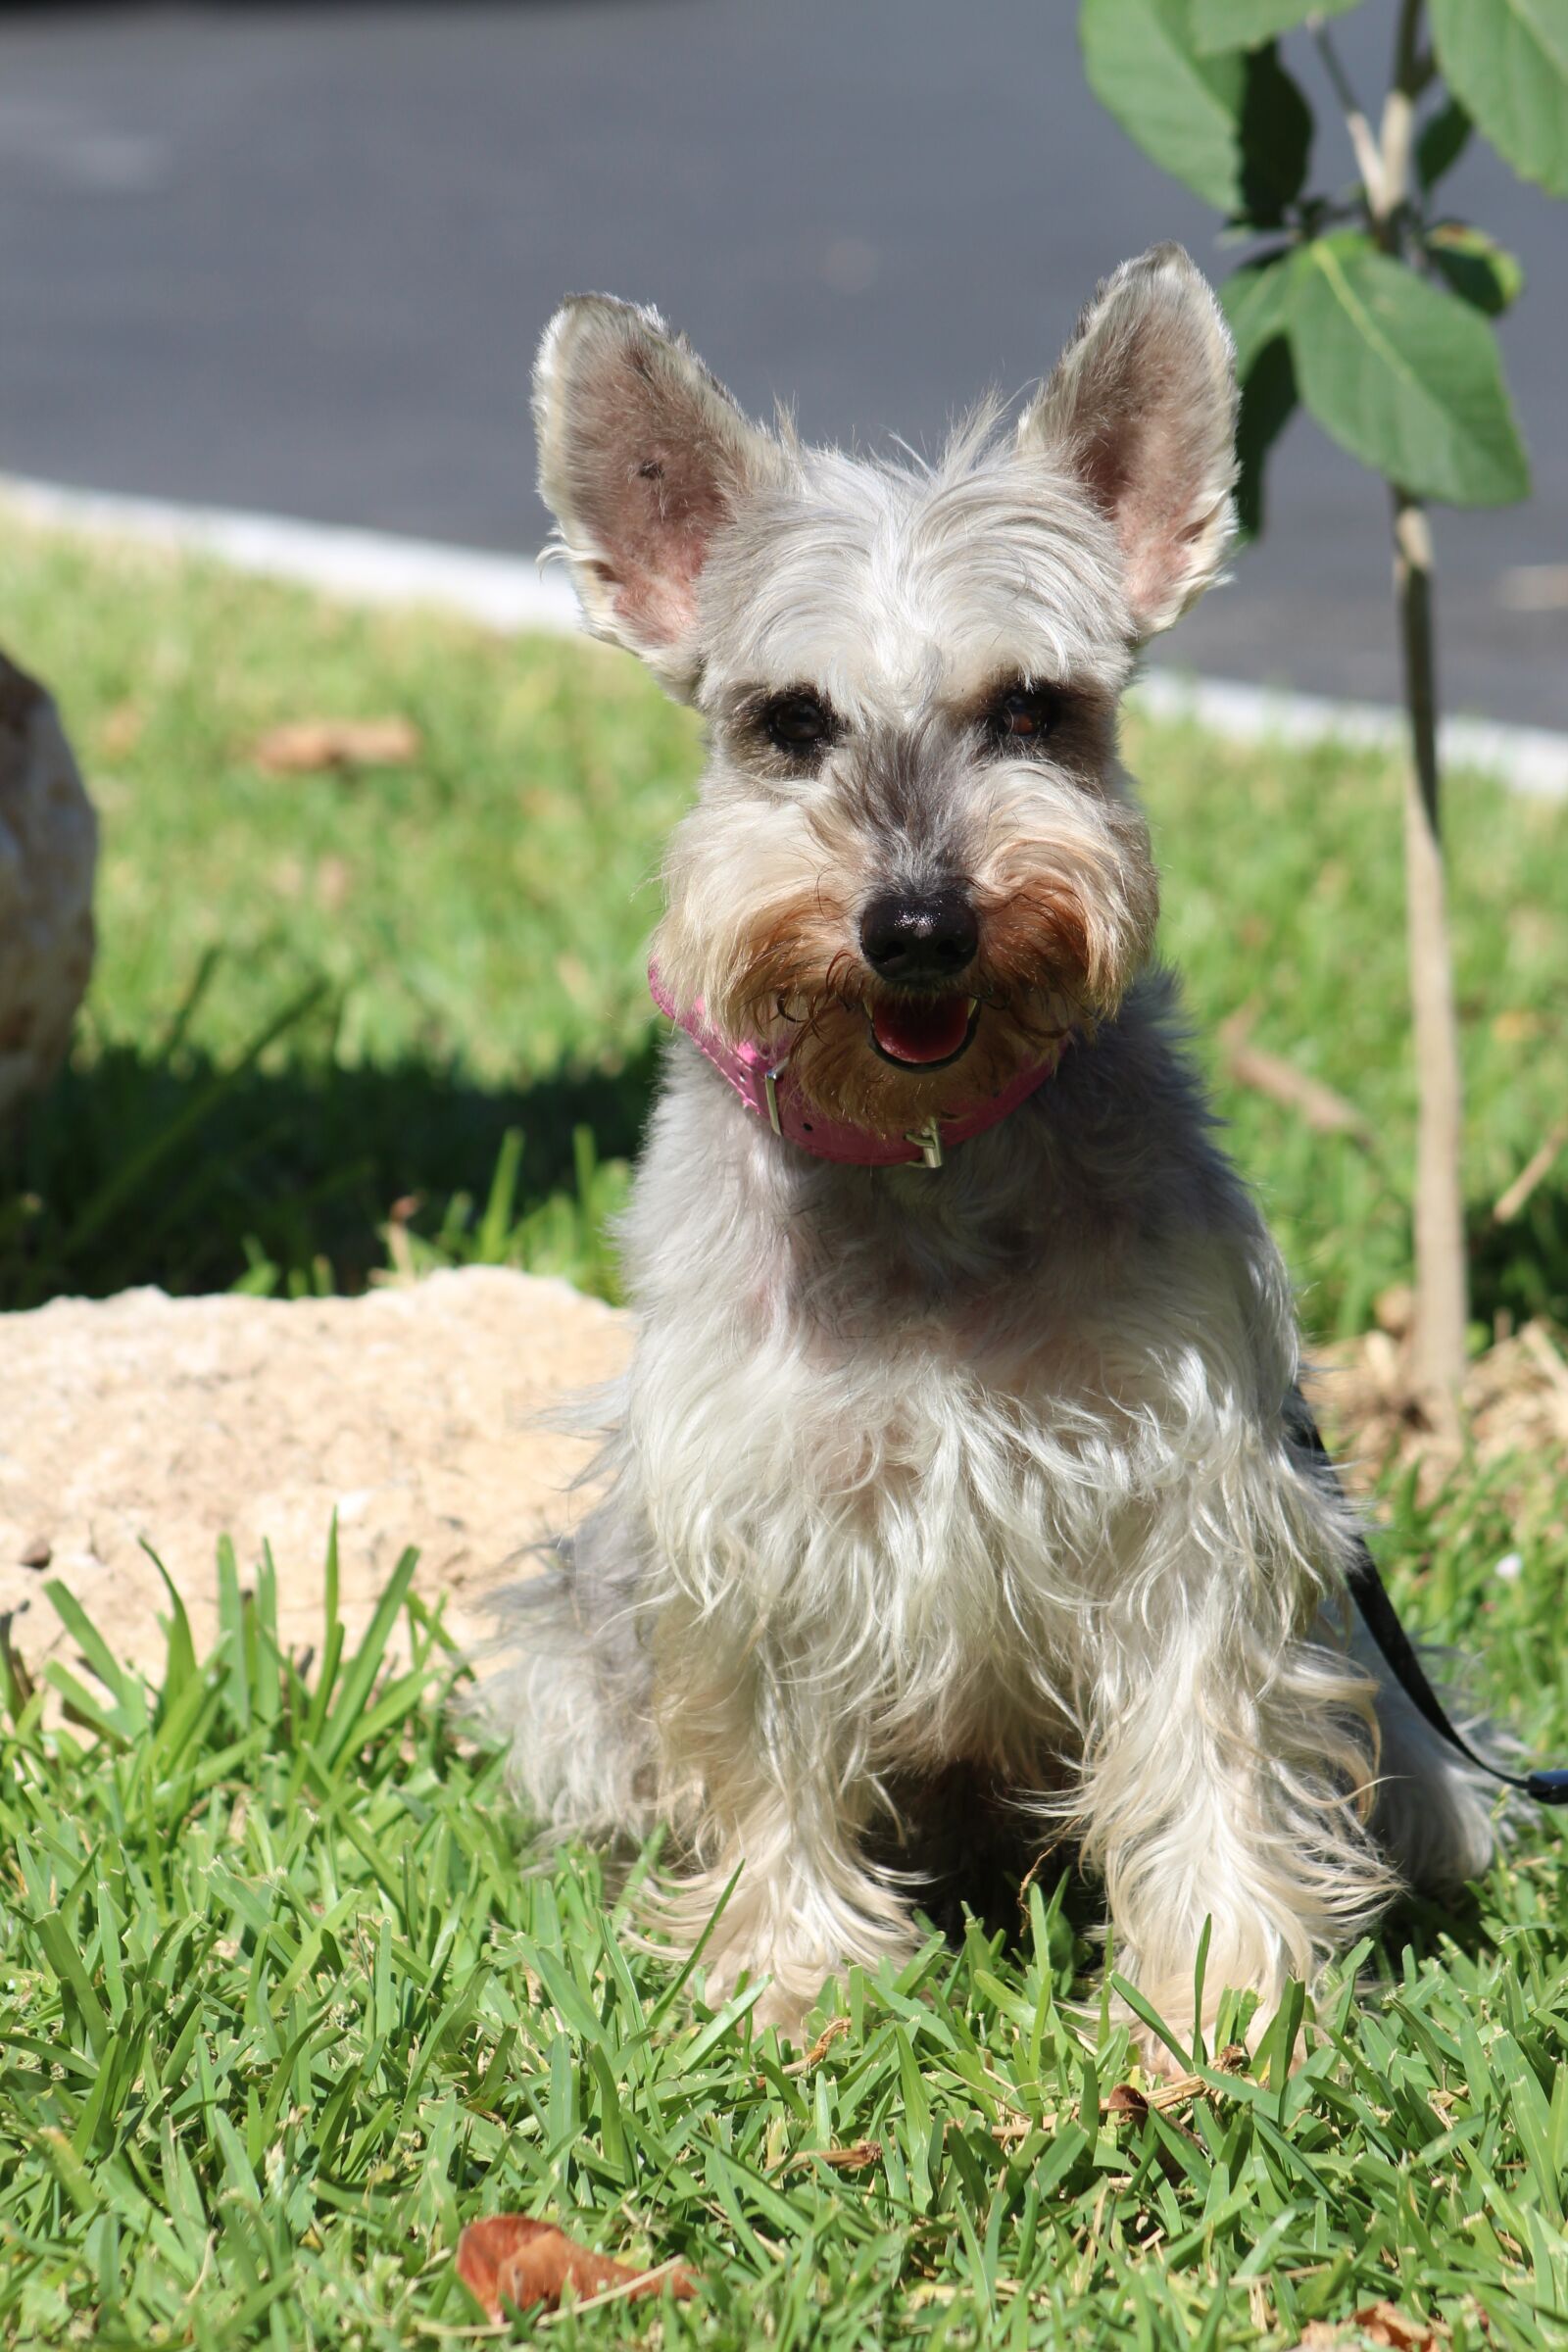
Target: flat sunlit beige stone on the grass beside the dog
[[420, 1415]]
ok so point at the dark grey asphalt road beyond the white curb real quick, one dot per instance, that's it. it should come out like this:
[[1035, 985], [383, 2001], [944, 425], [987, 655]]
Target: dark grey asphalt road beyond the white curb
[[297, 258]]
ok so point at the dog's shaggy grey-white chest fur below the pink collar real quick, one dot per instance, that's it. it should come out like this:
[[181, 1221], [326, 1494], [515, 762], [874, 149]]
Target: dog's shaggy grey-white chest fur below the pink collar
[[925, 1429]]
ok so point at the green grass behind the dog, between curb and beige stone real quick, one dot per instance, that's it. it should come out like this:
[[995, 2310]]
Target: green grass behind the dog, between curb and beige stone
[[328, 996]]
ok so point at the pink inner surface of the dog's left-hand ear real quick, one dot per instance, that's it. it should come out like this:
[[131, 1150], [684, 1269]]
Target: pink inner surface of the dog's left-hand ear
[[650, 481]]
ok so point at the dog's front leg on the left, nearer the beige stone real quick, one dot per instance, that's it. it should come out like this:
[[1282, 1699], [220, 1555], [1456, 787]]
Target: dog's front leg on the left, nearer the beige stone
[[779, 1812]]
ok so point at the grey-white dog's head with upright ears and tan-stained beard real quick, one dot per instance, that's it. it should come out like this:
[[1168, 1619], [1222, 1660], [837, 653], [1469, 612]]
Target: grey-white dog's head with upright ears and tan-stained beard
[[913, 862]]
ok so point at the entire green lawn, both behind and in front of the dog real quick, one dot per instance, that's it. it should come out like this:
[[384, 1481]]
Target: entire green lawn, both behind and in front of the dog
[[286, 1993]]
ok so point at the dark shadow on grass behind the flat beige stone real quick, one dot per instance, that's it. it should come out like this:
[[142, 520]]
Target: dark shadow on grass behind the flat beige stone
[[286, 1180]]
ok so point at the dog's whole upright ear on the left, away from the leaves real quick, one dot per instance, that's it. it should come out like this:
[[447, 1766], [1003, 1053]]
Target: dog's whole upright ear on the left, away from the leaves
[[643, 457]]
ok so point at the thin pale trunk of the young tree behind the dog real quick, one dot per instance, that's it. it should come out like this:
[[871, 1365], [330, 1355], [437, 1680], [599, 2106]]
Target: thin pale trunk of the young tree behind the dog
[[1442, 1292]]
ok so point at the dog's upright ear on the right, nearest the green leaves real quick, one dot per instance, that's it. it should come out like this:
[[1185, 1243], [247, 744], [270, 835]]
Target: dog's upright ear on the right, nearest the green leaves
[[1144, 413]]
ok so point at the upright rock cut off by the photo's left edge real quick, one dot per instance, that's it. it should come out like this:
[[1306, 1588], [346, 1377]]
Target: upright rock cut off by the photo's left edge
[[48, 853]]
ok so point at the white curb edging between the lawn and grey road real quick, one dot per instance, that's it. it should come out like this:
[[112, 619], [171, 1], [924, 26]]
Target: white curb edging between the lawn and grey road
[[514, 594]]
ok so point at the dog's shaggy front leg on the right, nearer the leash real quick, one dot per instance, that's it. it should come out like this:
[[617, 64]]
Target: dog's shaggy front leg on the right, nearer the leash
[[1228, 1784]]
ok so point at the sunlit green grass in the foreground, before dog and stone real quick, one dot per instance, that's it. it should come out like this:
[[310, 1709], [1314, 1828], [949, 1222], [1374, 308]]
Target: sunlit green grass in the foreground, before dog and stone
[[286, 2003]]
